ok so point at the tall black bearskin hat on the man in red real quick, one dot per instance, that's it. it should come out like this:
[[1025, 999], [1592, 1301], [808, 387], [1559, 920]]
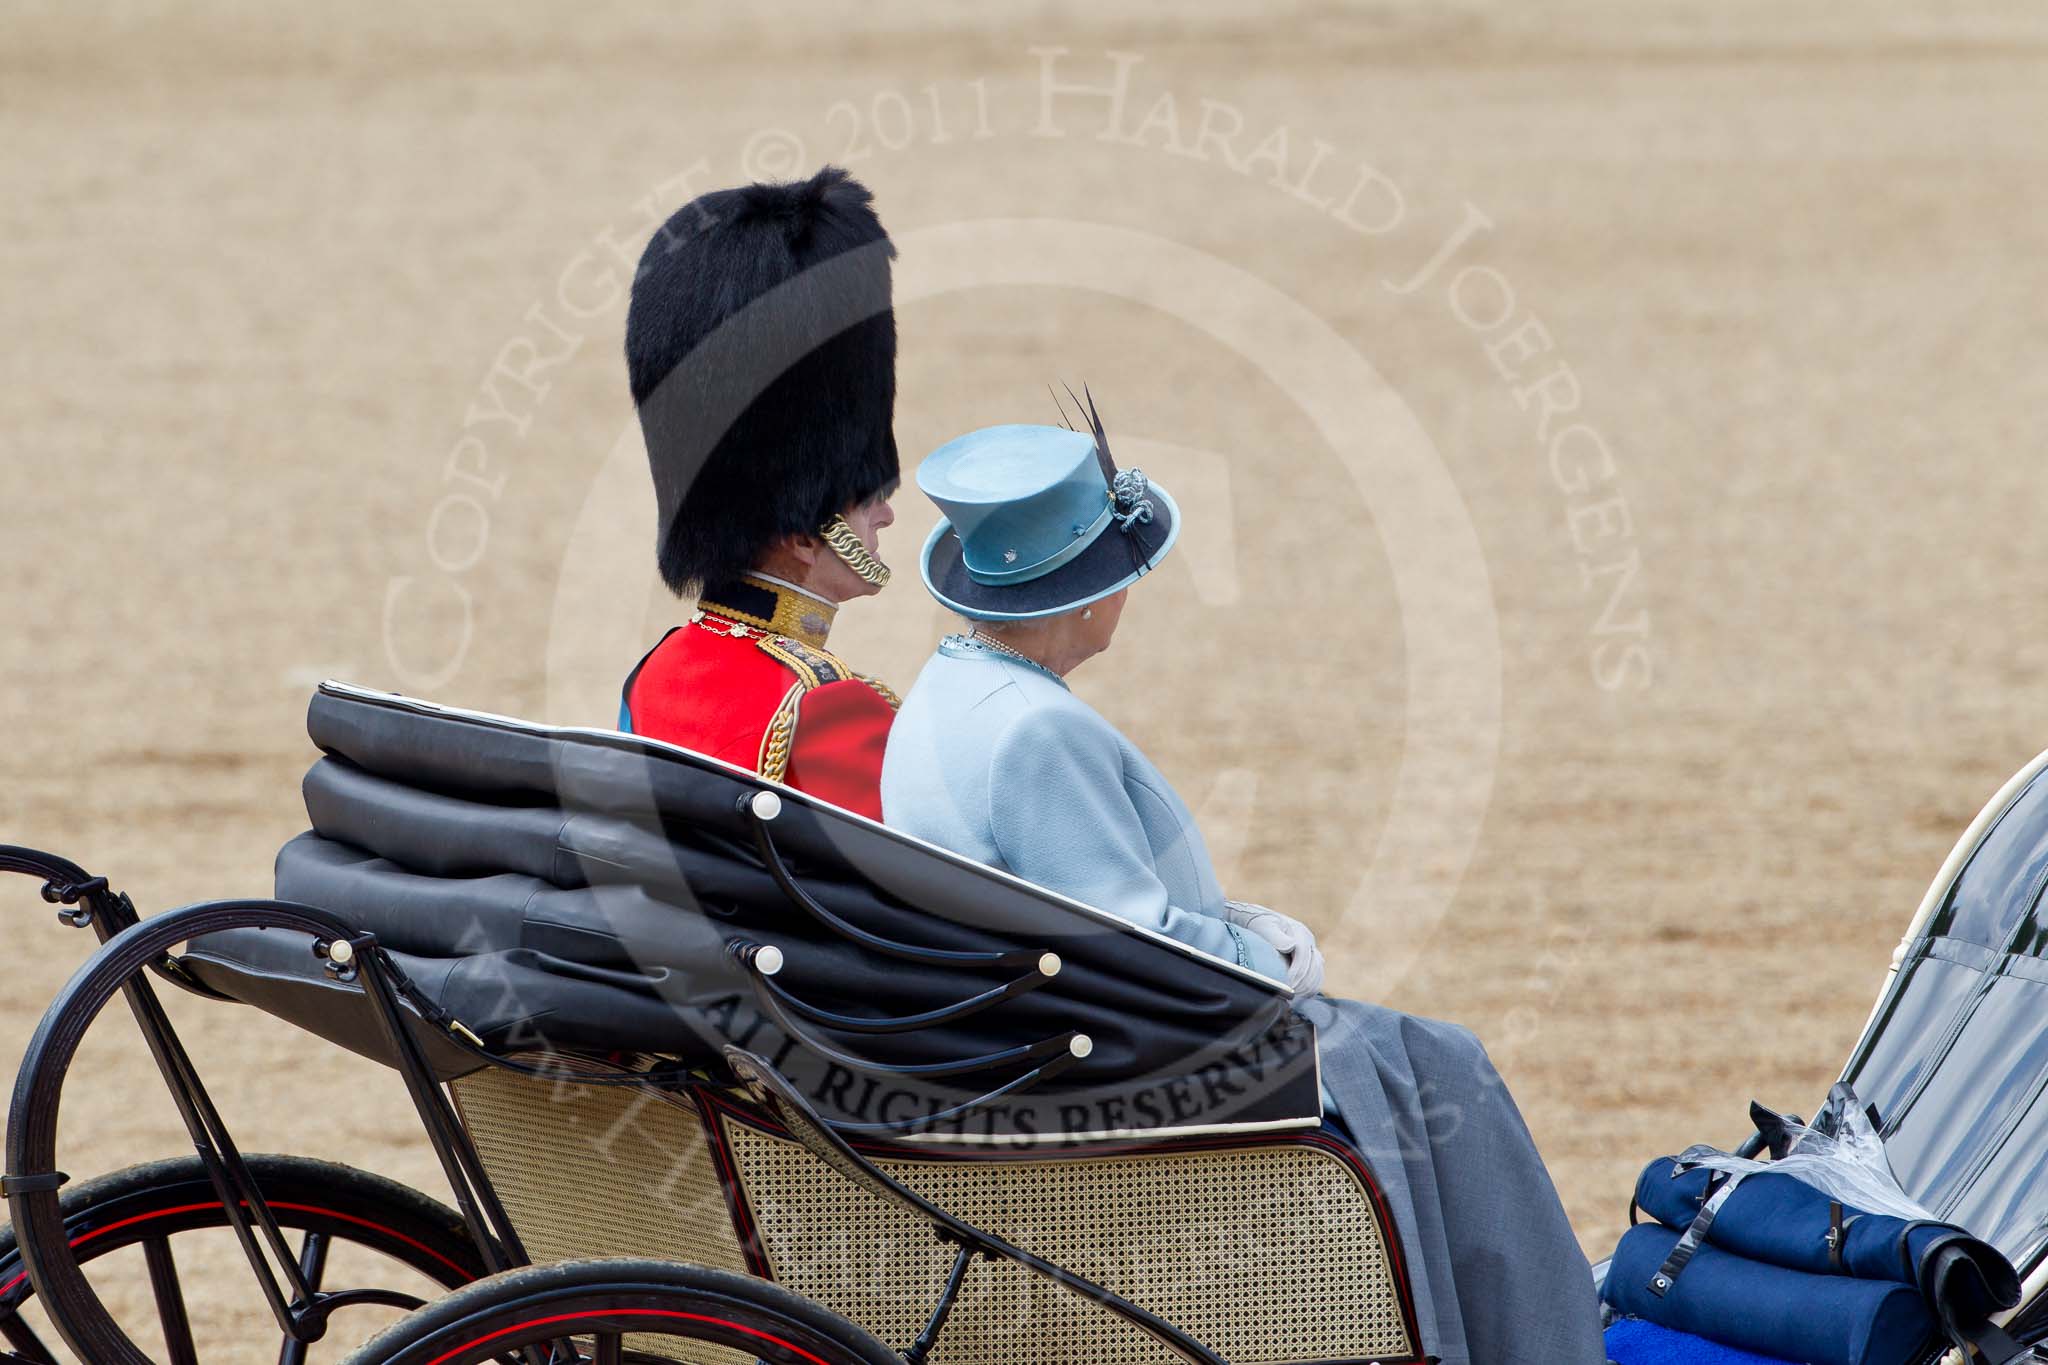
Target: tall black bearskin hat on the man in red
[[761, 347]]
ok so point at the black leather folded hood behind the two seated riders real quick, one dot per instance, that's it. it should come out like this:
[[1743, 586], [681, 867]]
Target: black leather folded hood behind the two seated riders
[[577, 891]]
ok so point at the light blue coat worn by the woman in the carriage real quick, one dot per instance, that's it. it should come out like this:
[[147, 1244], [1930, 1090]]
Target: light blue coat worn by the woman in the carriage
[[998, 760]]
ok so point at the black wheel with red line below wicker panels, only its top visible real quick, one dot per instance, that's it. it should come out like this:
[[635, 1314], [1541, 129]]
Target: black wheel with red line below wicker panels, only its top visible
[[620, 1313]]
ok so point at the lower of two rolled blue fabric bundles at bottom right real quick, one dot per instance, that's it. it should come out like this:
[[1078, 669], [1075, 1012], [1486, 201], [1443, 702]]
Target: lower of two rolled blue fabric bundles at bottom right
[[1766, 1309]]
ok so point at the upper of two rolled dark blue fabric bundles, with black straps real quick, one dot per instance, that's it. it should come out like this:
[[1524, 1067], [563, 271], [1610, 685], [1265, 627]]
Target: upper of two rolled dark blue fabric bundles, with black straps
[[1783, 1221]]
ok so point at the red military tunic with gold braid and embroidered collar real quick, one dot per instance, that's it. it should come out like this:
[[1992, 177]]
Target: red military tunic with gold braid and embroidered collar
[[749, 682]]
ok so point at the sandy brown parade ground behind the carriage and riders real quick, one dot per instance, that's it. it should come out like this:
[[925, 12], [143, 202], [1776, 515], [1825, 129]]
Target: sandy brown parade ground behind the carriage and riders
[[1609, 441]]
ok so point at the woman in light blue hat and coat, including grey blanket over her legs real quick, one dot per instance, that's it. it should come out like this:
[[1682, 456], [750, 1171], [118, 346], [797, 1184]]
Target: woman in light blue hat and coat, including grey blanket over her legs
[[994, 758]]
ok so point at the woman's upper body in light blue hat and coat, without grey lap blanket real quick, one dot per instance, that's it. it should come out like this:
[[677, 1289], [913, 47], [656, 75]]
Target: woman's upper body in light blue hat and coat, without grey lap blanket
[[992, 717]]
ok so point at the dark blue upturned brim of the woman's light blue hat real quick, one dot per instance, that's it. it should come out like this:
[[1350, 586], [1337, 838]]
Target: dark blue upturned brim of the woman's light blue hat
[[1113, 562]]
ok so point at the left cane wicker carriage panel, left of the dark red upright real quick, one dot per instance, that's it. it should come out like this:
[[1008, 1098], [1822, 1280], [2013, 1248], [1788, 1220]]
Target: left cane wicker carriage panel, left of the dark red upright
[[603, 1172]]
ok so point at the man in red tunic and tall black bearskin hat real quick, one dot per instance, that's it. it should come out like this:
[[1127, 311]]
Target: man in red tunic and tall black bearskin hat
[[761, 347]]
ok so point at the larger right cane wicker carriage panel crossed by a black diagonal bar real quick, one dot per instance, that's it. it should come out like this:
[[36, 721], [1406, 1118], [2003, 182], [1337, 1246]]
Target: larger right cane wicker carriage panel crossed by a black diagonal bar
[[1261, 1251]]
